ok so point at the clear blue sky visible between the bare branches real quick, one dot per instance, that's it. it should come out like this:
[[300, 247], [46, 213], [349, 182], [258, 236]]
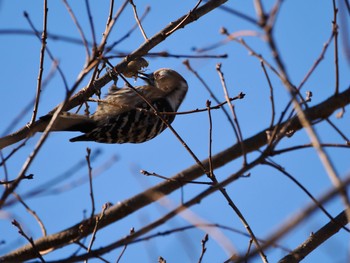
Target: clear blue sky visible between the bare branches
[[266, 198]]
